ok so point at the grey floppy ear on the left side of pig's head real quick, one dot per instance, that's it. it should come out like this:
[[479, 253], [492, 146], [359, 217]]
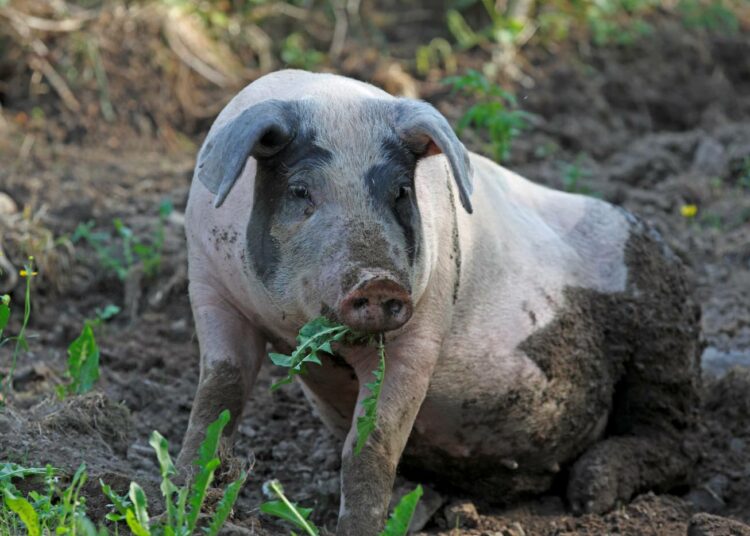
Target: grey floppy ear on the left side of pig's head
[[261, 131]]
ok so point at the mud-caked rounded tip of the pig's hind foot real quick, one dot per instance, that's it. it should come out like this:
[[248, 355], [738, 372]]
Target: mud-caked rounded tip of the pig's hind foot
[[593, 485]]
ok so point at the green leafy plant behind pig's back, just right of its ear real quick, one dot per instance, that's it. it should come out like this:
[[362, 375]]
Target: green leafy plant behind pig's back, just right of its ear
[[496, 111]]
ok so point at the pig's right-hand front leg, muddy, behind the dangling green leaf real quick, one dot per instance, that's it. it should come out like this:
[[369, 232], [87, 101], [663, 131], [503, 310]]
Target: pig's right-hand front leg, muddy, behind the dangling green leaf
[[367, 478]]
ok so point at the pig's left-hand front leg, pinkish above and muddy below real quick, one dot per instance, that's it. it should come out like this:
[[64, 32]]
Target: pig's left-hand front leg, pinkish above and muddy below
[[231, 353]]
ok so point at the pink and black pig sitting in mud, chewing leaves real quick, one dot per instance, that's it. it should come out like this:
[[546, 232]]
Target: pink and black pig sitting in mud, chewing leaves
[[533, 337]]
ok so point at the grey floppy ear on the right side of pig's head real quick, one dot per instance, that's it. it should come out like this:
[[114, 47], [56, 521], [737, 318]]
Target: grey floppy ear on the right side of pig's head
[[427, 132]]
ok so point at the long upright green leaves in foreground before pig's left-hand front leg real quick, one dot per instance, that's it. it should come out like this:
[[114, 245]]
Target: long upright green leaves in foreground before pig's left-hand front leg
[[183, 503]]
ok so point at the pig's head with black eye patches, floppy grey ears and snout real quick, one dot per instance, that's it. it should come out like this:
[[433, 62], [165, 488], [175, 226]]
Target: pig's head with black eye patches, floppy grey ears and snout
[[335, 225]]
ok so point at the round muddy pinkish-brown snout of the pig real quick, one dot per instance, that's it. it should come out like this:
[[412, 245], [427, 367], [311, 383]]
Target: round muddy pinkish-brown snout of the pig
[[375, 306]]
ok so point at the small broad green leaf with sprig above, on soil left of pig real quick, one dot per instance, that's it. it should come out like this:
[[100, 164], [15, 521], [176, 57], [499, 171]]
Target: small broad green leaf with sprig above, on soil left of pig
[[83, 356]]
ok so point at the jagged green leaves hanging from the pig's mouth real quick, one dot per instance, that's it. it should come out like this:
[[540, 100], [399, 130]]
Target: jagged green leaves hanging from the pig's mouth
[[318, 335]]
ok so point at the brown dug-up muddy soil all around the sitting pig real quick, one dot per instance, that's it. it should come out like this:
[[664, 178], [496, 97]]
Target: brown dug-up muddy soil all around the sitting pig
[[657, 127]]
